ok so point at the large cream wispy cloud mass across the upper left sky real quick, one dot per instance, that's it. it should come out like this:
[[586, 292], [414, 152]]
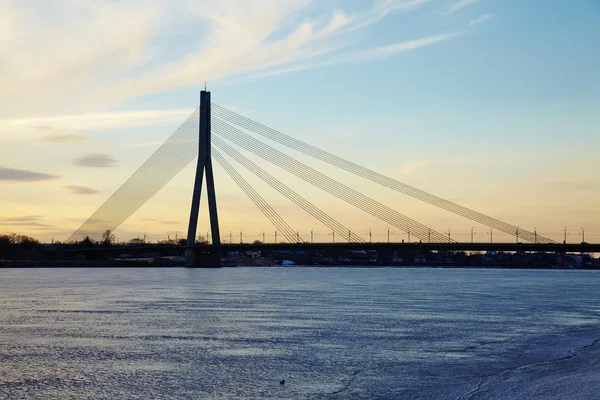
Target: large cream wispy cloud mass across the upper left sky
[[144, 47]]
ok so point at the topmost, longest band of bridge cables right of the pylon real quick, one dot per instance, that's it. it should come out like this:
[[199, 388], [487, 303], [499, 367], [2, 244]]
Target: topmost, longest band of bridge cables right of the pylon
[[373, 176]]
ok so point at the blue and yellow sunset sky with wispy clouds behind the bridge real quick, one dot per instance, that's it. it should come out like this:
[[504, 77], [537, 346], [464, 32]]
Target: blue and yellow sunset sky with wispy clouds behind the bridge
[[492, 104]]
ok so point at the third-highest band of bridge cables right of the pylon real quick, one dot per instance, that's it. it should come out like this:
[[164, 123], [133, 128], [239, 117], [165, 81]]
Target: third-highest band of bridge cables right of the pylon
[[300, 201]]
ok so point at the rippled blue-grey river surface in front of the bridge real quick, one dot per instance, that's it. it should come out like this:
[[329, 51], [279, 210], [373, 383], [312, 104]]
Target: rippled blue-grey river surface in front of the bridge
[[332, 333]]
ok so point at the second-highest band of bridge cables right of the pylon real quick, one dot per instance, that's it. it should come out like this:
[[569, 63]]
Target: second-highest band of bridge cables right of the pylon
[[325, 183]]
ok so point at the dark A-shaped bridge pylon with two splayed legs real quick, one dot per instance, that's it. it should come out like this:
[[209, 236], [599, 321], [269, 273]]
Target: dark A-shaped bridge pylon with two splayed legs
[[203, 166]]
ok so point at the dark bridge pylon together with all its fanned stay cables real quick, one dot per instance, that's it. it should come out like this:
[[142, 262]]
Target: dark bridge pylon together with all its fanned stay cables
[[212, 132]]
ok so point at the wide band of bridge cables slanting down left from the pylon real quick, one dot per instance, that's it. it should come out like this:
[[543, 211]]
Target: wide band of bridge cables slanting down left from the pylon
[[166, 162]]
